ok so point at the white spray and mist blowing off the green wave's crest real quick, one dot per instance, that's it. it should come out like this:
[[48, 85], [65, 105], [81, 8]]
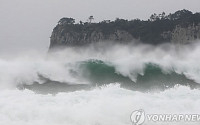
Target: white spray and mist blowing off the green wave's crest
[[127, 60]]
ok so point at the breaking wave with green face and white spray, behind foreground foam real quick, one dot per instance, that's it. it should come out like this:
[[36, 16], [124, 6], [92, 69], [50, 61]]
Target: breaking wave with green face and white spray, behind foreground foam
[[136, 67]]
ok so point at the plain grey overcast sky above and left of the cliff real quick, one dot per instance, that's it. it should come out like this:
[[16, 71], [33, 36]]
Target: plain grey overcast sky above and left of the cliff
[[27, 24]]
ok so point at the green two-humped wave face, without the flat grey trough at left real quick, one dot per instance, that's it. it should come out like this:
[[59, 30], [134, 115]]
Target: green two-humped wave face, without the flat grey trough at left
[[98, 72]]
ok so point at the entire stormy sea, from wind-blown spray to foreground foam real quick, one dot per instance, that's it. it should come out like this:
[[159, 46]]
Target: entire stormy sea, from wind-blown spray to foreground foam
[[105, 67]]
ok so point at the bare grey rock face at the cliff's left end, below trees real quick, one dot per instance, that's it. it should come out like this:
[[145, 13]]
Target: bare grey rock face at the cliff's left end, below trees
[[60, 37]]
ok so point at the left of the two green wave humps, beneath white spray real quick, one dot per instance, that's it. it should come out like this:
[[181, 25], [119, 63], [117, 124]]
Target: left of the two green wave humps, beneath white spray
[[98, 72]]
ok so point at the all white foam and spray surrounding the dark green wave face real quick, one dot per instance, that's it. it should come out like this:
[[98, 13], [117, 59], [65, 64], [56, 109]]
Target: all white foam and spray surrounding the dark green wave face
[[106, 105]]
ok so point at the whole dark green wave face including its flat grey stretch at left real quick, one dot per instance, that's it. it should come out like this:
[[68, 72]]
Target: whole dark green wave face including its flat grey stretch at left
[[98, 73]]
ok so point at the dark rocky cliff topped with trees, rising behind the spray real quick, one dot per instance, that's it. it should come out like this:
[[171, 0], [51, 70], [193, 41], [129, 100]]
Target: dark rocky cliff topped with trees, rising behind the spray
[[178, 28]]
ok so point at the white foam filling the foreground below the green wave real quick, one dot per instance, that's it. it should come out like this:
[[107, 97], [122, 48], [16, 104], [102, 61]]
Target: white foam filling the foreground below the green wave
[[109, 105]]
